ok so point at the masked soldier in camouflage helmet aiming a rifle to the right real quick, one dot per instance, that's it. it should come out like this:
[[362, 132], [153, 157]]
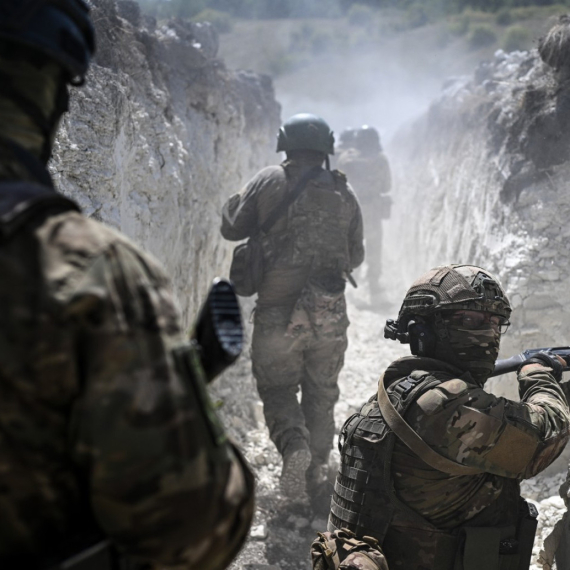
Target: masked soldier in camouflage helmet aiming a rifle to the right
[[431, 465]]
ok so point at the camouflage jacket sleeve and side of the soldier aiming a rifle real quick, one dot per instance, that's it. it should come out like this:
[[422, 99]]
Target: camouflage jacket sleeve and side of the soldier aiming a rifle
[[507, 440]]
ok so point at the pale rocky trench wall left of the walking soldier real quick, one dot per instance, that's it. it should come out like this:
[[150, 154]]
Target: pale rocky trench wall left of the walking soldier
[[160, 136]]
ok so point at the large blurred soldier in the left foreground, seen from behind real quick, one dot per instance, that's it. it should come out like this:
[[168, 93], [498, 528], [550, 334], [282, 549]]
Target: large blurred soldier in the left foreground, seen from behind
[[104, 445]]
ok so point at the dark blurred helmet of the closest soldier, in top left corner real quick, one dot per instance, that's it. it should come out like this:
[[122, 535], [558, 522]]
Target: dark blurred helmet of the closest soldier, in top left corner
[[61, 29]]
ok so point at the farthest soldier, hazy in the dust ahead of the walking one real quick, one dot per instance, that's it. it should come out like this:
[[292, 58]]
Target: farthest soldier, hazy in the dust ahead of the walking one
[[361, 158]]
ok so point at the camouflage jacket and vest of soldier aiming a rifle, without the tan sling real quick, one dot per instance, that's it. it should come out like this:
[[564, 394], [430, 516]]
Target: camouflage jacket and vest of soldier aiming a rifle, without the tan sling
[[419, 513]]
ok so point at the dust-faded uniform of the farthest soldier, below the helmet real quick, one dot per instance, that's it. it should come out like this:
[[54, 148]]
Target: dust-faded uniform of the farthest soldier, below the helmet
[[369, 174]]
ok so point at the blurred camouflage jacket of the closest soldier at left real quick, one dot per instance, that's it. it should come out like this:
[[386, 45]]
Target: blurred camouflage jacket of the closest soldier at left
[[95, 422]]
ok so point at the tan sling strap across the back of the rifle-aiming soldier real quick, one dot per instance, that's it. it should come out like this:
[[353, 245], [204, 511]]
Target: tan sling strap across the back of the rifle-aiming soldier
[[414, 442]]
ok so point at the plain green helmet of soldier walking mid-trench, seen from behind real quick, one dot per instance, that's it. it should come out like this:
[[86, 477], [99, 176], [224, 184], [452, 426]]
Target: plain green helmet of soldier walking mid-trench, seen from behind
[[305, 132]]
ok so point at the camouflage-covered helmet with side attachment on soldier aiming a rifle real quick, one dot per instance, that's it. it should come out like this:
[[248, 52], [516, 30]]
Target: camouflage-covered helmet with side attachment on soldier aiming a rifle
[[448, 288]]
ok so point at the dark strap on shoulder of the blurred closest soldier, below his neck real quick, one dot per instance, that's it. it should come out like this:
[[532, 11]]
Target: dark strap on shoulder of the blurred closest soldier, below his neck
[[21, 201]]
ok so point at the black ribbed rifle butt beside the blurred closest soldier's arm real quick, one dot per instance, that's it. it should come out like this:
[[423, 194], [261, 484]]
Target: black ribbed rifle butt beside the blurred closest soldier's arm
[[218, 332]]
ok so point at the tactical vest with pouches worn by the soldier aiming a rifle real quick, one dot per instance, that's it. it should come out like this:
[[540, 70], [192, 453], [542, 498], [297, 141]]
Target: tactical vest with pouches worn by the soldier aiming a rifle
[[365, 502]]
